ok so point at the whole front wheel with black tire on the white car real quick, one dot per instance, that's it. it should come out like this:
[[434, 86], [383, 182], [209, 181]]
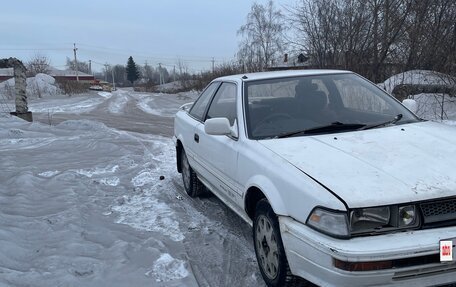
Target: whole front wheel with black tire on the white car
[[269, 249]]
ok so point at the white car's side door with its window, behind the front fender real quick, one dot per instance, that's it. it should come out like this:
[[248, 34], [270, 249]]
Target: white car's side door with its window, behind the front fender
[[218, 155]]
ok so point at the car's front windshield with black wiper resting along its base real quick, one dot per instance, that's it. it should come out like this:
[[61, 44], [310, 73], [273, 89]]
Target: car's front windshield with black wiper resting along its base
[[318, 104]]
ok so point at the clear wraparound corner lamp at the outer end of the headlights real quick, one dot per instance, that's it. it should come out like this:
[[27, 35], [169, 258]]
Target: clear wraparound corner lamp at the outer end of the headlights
[[333, 223]]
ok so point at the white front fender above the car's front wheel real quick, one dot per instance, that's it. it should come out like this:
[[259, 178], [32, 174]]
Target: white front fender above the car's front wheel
[[282, 183]]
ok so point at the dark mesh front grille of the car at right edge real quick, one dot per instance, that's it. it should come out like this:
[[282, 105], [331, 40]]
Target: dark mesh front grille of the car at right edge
[[439, 211]]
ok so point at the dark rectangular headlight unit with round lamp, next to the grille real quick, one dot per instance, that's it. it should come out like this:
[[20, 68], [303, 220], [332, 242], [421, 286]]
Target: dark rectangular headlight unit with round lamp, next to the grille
[[383, 219]]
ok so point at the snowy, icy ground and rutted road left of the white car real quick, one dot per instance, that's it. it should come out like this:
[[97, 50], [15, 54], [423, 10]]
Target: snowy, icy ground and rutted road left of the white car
[[81, 202]]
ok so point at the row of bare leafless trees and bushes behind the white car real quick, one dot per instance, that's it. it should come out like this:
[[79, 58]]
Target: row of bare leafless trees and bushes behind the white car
[[373, 37]]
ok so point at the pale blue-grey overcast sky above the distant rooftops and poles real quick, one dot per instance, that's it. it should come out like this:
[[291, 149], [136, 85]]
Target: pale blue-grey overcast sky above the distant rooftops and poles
[[107, 31]]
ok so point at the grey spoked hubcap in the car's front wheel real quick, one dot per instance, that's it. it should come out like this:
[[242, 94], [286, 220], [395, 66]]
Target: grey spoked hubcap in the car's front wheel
[[267, 247]]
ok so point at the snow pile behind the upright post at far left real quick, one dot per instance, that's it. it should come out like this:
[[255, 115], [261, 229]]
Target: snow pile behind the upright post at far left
[[40, 86]]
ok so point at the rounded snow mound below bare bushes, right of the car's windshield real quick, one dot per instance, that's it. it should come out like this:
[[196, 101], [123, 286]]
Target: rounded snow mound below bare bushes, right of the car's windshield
[[418, 77]]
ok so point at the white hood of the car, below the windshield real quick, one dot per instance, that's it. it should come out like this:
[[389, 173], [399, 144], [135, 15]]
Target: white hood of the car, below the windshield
[[397, 164]]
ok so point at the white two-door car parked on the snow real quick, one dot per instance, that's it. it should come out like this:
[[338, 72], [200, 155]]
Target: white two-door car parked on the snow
[[343, 185]]
